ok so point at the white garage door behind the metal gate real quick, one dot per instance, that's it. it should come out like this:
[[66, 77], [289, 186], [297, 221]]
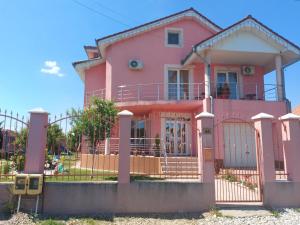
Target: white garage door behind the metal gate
[[239, 145]]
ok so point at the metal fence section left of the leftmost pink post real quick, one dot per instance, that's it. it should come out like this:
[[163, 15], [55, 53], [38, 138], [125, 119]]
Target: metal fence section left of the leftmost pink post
[[13, 142]]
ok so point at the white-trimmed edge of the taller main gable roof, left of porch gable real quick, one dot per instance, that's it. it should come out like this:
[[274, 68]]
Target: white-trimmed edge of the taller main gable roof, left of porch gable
[[103, 42]]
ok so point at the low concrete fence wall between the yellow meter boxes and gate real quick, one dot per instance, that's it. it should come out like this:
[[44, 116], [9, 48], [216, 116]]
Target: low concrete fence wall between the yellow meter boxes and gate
[[136, 197]]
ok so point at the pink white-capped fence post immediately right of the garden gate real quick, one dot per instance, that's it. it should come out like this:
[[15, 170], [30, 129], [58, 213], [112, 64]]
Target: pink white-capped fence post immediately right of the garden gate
[[264, 150]]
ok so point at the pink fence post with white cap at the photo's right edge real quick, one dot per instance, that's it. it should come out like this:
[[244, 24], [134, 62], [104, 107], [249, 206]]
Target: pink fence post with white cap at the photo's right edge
[[291, 142]]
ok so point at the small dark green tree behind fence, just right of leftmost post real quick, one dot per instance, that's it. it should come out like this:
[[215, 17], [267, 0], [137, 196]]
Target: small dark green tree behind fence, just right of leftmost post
[[55, 137]]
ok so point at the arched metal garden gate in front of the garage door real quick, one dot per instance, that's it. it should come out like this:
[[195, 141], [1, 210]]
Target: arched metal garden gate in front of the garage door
[[237, 176]]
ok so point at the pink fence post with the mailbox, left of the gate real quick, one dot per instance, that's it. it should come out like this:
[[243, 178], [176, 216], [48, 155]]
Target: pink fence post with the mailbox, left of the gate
[[205, 125]]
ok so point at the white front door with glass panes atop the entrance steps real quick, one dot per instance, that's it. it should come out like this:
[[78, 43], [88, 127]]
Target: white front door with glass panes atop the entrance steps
[[176, 136]]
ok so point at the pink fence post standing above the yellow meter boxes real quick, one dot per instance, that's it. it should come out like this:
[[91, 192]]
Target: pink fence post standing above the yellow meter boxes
[[36, 142]]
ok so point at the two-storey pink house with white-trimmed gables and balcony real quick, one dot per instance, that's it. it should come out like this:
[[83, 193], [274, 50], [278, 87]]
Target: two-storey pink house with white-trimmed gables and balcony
[[169, 70]]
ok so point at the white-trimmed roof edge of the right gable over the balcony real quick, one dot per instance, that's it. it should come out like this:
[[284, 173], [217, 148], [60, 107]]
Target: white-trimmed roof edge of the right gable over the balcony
[[247, 21]]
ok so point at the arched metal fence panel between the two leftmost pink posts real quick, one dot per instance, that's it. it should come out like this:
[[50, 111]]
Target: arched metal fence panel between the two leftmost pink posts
[[72, 155]]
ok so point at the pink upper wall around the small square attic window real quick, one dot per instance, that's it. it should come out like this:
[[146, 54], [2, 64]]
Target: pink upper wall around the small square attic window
[[150, 48]]
